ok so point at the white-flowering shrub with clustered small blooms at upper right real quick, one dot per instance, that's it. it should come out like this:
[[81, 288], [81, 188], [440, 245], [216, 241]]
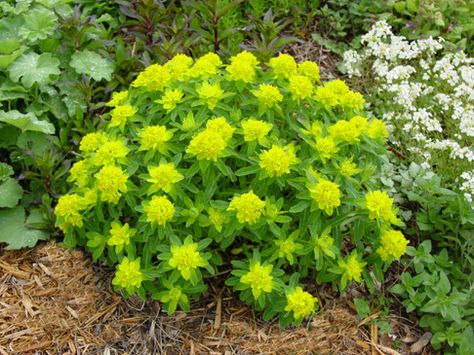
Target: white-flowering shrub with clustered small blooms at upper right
[[426, 99]]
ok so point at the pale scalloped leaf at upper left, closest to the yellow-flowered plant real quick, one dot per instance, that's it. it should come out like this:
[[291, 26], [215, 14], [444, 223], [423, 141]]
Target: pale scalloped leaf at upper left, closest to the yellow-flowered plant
[[92, 64]]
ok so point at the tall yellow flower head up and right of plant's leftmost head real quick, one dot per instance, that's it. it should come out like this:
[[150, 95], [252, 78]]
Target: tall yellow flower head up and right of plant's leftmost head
[[111, 180]]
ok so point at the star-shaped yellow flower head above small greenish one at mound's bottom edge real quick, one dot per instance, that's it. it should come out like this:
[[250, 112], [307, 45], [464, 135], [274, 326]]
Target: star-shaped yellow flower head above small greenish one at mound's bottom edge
[[186, 258]]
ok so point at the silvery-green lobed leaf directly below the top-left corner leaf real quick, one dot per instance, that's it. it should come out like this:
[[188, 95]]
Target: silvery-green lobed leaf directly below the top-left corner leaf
[[34, 68]]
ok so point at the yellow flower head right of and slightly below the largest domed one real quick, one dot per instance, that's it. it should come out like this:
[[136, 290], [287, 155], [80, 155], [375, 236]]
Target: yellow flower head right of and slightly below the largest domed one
[[277, 161]]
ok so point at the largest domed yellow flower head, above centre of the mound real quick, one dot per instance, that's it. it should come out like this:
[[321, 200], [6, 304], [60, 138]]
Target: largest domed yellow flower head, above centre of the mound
[[207, 145]]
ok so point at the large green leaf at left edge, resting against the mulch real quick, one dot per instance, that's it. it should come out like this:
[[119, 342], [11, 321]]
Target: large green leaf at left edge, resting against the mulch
[[14, 232]]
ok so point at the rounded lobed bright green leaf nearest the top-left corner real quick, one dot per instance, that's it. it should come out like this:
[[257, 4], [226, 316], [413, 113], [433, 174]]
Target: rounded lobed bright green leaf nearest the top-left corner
[[39, 24]]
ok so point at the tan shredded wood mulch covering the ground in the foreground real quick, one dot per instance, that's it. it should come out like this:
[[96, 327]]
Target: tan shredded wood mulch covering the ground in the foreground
[[53, 300]]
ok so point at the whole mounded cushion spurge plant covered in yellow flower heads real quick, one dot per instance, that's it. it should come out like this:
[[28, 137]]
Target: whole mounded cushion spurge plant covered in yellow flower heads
[[204, 166]]
